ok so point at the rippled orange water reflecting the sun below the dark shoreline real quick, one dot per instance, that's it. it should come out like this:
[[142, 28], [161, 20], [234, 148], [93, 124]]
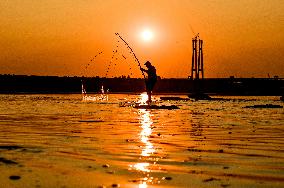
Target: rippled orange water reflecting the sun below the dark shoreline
[[62, 141]]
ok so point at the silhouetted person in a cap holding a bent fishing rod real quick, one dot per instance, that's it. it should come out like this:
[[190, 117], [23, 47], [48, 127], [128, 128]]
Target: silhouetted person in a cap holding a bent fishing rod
[[151, 79]]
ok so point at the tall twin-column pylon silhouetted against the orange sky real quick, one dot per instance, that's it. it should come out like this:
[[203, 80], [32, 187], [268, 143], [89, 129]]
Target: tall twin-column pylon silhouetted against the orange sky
[[197, 70]]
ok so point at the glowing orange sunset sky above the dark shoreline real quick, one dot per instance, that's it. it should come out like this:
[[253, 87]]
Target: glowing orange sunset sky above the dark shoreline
[[243, 38]]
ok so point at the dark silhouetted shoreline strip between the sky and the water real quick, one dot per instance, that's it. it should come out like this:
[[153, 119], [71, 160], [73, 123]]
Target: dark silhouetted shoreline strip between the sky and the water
[[22, 84]]
